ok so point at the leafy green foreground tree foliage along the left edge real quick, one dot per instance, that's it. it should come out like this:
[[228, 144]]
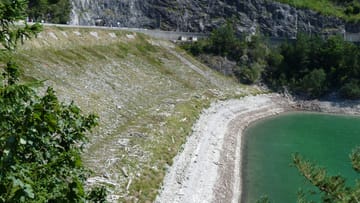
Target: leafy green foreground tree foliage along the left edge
[[40, 138]]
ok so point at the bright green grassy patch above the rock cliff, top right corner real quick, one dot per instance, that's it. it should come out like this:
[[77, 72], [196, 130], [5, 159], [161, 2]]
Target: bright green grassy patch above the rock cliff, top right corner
[[345, 9]]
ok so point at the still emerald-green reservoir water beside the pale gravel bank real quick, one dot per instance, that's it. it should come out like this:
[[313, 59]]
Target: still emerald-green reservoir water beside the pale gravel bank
[[325, 139]]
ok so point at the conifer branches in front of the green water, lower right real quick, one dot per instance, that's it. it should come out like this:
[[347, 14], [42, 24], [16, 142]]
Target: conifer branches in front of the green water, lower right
[[332, 188]]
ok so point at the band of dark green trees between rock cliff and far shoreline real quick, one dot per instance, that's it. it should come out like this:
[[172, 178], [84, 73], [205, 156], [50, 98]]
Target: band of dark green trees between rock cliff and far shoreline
[[310, 66]]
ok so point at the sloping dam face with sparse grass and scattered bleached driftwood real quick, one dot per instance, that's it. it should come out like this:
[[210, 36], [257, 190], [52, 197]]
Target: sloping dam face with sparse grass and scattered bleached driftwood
[[147, 92]]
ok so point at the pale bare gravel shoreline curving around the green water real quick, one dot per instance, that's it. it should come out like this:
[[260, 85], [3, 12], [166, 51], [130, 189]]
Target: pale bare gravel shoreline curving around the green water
[[209, 167]]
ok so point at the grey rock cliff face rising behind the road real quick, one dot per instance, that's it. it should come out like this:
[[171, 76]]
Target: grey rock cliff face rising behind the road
[[269, 17]]
